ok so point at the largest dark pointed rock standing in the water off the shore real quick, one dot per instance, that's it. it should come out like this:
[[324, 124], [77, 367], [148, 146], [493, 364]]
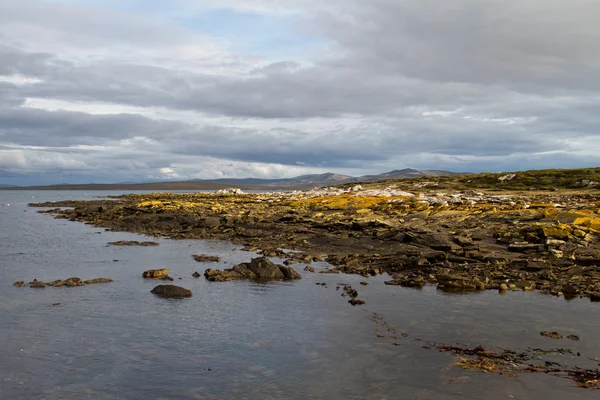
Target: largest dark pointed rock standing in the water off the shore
[[260, 268]]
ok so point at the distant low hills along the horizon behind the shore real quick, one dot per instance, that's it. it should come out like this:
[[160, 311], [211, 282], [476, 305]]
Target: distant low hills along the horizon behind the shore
[[299, 182]]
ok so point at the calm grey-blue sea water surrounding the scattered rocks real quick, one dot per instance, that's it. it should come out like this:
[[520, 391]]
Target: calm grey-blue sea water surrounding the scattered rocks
[[242, 340]]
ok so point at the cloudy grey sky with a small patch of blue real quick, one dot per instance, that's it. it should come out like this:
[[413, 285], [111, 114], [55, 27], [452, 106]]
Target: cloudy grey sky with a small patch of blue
[[140, 90]]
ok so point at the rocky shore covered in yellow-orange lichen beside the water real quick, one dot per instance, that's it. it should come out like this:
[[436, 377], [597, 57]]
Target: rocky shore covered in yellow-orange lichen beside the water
[[418, 232]]
